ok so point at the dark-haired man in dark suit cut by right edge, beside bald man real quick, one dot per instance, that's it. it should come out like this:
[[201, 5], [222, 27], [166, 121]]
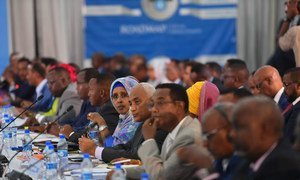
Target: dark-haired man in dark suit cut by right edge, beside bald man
[[291, 81]]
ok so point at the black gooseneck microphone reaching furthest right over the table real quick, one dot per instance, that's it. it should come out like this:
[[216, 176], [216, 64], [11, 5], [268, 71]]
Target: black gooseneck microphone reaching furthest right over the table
[[18, 174]]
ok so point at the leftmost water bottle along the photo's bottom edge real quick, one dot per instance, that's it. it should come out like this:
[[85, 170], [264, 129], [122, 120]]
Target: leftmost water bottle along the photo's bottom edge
[[51, 165]]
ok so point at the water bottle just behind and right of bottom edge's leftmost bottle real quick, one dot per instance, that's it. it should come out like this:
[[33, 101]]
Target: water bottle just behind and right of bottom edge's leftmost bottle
[[62, 151]]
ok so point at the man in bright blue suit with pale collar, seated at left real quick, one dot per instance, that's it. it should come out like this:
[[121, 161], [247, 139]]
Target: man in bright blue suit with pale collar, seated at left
[[36, 77]]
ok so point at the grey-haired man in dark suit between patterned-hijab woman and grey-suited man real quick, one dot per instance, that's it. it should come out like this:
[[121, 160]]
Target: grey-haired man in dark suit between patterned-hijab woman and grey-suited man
[[138, 100]]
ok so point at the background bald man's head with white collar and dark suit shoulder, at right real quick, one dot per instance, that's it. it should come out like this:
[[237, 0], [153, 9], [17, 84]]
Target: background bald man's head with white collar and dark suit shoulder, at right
[[269, 83]]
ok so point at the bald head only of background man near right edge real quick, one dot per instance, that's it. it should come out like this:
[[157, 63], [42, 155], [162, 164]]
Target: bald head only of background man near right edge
[[268, 81]]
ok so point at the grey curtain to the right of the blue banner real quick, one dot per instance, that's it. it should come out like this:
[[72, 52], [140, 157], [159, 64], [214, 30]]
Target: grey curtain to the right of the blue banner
[[258, 23]]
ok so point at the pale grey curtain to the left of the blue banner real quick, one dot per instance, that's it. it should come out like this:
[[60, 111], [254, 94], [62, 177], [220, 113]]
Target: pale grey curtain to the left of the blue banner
[[59, 29]]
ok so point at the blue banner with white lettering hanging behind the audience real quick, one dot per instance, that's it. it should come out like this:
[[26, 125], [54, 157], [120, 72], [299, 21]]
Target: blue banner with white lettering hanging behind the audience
[[179, 29]]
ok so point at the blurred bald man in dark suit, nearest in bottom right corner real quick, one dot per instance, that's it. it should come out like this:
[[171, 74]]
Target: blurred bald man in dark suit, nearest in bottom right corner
[[257, 135]]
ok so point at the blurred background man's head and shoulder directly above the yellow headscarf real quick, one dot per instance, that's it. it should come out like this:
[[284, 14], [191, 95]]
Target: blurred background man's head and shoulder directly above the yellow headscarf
[[200, 72]]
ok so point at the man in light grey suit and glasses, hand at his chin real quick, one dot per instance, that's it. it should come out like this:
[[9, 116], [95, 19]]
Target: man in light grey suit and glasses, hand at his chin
[[169, 109]]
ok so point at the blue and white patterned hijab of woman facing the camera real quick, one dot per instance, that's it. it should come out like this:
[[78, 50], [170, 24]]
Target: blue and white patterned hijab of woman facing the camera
[[126, 126]]
